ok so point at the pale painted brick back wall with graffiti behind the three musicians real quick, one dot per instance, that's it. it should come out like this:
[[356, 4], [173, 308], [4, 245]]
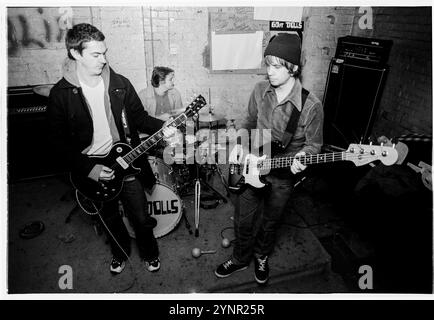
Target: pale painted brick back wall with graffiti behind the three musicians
[[142, 37]]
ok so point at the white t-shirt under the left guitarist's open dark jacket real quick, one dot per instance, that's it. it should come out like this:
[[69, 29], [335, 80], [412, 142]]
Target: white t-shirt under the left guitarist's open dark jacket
[[102, 139]]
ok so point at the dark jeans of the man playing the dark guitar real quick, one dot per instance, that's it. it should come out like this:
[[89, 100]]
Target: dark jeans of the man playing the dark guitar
[[133, 200]]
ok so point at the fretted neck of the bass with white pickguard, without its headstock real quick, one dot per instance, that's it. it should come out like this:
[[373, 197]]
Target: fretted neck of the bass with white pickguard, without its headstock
[[284, 162]]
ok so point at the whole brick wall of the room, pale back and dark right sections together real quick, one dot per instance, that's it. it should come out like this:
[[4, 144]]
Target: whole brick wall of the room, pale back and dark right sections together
[[142, 37]]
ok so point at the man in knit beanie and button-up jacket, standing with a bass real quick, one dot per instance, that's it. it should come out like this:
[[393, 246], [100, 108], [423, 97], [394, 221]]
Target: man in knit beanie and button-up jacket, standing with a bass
[[295, 118]]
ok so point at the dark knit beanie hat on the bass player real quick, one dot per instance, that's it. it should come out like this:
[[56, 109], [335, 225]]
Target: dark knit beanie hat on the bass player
[[286, 46]]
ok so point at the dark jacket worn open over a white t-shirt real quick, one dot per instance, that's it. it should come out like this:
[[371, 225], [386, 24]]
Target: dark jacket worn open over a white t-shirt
[[71, 124]]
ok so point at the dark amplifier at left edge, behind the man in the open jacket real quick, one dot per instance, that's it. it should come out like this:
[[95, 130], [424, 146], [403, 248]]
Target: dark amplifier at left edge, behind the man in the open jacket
[[28, 140]]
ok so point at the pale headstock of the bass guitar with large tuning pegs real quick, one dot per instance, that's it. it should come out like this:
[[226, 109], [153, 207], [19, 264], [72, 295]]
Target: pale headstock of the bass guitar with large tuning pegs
[[362, 154]]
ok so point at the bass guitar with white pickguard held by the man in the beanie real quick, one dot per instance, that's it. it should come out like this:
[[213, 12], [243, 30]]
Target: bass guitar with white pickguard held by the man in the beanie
[[253, 166]]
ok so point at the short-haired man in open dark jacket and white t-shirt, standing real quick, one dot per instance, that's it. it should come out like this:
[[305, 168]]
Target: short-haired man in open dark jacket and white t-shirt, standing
[[90, 109]]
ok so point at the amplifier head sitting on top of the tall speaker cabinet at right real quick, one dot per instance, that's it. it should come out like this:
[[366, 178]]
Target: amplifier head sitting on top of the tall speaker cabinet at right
[[363, 50]]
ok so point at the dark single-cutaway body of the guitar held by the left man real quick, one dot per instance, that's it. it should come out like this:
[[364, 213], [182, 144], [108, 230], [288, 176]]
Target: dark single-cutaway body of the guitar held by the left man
[[103, 191]]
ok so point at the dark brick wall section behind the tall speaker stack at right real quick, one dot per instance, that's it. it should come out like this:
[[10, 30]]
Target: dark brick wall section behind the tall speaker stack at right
[[406, 104]]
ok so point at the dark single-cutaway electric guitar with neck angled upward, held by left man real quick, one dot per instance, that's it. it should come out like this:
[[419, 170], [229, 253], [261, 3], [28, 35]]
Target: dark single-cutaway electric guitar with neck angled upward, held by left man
[[120, 159]]
